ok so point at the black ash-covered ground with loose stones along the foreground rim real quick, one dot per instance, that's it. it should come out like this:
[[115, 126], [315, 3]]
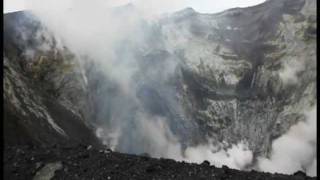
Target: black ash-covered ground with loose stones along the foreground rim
[[86, 162]]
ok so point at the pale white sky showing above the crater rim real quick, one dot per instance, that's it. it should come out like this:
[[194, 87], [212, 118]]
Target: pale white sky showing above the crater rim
[[204, 6]]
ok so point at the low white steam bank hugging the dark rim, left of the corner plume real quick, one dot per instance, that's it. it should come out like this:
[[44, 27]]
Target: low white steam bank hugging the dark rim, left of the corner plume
[[162, 143]]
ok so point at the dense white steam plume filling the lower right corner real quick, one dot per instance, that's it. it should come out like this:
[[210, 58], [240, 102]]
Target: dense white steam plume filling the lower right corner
[[295, 150]]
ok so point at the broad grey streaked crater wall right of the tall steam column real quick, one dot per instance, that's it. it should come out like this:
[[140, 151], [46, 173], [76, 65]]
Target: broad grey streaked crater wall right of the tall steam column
[[248, 72]]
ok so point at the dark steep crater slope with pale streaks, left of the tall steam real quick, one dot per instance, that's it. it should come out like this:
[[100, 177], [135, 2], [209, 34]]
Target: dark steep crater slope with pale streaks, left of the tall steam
[[35, 72]]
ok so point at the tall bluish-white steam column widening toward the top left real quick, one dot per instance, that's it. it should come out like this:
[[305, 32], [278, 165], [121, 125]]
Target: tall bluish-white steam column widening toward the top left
[[94, 32]]
